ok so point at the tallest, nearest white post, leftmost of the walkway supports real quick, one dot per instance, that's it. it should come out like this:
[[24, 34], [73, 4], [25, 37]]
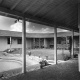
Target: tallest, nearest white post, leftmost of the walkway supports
[[24, 46]]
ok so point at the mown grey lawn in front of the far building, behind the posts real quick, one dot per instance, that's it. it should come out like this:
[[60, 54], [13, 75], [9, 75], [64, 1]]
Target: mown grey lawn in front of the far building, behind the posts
[[43, 53]]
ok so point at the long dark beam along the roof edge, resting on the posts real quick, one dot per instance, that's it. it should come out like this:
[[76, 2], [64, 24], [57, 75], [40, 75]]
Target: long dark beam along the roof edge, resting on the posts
[[15, 14]]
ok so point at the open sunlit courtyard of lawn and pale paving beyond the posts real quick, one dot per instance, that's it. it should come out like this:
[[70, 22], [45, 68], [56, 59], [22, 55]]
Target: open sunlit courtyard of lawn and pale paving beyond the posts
[[13, 61]]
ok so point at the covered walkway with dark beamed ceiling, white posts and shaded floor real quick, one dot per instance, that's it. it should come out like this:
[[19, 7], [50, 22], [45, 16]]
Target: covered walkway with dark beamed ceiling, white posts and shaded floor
[[54, 13]]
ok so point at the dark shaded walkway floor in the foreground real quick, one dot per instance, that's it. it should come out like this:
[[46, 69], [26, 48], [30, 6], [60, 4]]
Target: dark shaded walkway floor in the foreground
[[62, 71]]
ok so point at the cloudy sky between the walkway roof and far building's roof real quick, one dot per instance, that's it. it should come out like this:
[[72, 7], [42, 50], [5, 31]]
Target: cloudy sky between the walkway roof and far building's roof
[[7, 23]]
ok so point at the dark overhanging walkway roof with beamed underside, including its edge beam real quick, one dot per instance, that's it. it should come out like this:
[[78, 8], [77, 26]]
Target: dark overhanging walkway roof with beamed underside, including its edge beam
[[66, 17]]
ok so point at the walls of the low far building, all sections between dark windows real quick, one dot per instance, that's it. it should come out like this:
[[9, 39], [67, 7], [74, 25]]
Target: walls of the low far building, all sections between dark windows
[[29, 43]]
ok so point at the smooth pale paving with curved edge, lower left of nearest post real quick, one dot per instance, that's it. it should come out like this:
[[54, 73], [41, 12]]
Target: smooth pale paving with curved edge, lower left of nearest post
[[6, 65]]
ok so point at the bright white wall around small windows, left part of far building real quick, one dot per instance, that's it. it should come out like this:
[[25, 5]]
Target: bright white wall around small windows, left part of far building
[[4, 45]]
